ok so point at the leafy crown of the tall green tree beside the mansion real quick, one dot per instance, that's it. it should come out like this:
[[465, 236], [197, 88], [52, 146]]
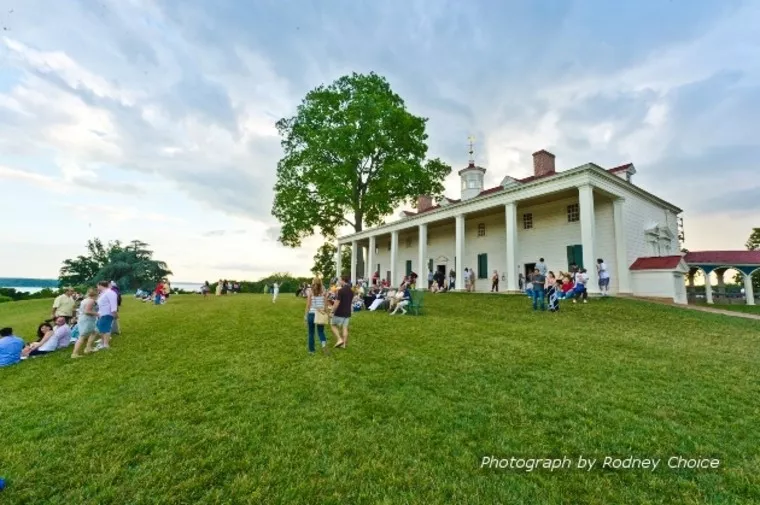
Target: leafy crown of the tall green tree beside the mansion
[[352, 153]]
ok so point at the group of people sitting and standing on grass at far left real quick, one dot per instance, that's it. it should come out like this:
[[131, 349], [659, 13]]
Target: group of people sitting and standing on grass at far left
[[85, 321]]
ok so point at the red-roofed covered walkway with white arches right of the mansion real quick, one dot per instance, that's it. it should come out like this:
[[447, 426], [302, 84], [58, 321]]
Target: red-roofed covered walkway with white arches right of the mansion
[[747, 262]]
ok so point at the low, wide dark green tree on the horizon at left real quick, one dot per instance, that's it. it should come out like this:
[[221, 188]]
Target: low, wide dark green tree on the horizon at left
[[131, 266]]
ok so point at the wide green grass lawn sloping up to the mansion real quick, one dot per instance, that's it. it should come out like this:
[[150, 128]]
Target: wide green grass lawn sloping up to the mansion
[[216, 401]]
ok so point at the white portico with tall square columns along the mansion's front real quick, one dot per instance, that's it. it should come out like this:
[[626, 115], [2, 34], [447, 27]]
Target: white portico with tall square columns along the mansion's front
[[584, 184]]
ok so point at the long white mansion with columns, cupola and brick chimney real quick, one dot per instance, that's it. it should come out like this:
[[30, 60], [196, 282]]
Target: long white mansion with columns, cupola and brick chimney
[[573, 216]]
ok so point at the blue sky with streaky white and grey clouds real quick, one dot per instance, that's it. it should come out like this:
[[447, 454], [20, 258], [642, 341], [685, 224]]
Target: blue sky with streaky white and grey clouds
[[154, 119]]
